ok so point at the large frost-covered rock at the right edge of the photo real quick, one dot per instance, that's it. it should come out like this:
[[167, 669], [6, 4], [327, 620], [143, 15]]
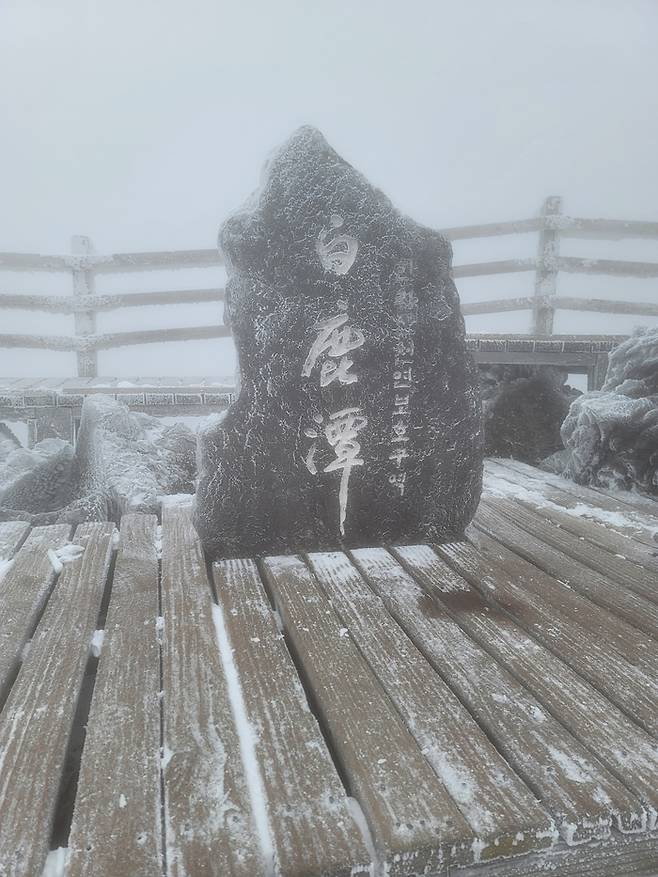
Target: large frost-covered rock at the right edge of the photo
[[611, 436]]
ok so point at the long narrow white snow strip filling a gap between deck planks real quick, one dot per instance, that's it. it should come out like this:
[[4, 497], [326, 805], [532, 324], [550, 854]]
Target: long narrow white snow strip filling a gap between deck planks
[[247, 738]]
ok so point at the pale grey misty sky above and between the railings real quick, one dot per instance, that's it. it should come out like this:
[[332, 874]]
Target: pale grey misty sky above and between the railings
[[144, 124]]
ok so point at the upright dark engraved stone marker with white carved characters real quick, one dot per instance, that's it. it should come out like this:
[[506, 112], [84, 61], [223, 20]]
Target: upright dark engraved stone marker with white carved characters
[[358, 418]]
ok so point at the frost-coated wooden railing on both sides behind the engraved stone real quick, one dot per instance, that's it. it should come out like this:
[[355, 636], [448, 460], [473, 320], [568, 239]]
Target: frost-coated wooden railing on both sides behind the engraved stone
[[84, 265]]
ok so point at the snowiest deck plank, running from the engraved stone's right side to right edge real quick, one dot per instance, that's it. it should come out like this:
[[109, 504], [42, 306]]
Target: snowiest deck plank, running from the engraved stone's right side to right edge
[[578, 500]]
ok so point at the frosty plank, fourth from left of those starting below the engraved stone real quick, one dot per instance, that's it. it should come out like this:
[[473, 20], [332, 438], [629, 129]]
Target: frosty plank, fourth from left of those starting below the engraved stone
[[573, 787]]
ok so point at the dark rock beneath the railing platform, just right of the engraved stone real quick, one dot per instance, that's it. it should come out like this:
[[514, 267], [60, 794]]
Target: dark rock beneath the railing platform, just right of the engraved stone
[[523, 410]]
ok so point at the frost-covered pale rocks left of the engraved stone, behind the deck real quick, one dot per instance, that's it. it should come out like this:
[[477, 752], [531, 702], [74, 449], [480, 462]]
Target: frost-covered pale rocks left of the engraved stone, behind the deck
[[123, 461]]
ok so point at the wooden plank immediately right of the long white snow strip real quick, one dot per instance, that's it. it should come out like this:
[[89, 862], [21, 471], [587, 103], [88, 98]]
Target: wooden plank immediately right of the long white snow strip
[[307, 808]]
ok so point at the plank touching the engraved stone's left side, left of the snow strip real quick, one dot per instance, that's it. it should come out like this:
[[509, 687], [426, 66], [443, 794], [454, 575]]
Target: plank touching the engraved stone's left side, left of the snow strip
[[208, 820]]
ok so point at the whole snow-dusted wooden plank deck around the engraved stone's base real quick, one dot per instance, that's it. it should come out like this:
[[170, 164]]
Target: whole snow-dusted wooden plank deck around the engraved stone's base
[[487, 708]]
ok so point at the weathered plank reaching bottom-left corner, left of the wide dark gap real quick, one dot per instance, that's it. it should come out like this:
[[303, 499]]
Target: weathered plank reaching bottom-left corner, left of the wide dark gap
[[37, 718]]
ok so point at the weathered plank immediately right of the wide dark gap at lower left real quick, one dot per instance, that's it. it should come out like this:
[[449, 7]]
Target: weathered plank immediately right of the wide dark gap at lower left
[[116, 826]]
